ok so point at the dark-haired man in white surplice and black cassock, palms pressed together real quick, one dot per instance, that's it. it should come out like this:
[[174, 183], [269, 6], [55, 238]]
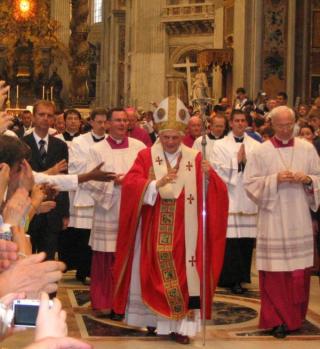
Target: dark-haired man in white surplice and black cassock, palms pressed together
[[229, 158]]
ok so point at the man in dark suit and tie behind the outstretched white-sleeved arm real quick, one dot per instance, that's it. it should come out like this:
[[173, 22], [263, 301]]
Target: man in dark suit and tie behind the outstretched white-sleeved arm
[[46, 152]]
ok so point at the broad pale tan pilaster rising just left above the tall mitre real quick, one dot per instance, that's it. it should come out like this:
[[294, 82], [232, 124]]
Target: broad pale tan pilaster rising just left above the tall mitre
[[147, 54]]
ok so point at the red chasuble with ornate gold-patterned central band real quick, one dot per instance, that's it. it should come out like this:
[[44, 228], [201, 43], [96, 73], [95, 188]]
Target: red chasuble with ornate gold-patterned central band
[[162, 265]]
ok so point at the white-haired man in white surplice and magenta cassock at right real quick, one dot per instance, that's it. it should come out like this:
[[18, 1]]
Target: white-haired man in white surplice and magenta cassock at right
[[282, 177]]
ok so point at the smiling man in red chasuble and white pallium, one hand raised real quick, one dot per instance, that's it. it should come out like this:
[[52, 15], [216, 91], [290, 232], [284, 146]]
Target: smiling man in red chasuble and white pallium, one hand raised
[[170, 261]]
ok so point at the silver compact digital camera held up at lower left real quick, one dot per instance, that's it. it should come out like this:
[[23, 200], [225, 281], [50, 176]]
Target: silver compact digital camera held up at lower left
[[25, 312]]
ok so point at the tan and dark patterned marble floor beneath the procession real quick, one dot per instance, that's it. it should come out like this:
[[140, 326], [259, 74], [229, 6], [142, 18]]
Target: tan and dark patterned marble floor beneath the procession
[[234, 324]]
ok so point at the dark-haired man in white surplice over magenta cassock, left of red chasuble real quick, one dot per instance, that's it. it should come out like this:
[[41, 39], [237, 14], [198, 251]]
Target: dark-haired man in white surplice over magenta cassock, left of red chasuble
[[118, 153]]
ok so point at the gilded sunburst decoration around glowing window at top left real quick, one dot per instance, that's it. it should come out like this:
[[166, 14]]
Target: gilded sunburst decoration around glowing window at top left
[[25, 24]]
